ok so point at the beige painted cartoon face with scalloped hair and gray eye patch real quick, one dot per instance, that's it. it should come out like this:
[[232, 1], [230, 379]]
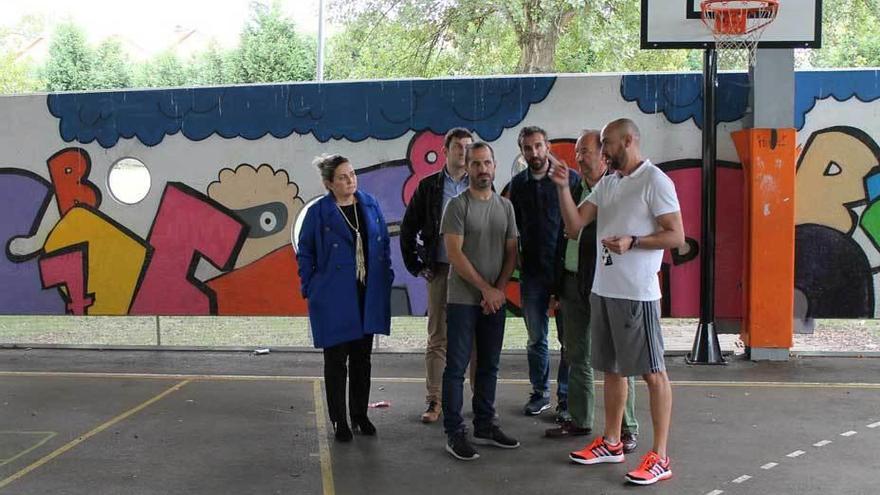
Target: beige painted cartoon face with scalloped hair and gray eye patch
[[265, 200]]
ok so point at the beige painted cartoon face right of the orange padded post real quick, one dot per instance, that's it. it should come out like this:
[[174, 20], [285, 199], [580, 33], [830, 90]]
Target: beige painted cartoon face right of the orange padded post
[[830, 176]]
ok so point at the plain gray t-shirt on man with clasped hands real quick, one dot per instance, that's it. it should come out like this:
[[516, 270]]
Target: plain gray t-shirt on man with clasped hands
[[486, 226]]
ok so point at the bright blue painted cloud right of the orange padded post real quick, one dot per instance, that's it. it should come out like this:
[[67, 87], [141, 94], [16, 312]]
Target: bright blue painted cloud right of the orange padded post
[[839, 84]]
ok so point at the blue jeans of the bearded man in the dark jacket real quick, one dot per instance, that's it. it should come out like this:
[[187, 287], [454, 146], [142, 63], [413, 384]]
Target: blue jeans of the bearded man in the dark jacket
[[535, 297]]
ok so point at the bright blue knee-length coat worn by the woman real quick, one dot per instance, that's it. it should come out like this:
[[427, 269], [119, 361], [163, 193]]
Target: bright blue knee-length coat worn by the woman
[[326, 259]]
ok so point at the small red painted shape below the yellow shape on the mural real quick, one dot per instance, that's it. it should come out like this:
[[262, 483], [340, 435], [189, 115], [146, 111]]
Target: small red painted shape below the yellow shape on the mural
[[68, 269]]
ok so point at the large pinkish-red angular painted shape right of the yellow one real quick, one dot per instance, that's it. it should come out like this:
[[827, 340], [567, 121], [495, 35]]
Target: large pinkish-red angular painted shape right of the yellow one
[[188, 226]]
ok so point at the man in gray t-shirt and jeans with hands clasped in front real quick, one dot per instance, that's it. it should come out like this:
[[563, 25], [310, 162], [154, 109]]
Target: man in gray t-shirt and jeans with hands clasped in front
[[479, 232]]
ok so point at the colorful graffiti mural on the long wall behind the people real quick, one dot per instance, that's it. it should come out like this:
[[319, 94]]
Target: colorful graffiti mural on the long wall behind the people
[[230, 175]]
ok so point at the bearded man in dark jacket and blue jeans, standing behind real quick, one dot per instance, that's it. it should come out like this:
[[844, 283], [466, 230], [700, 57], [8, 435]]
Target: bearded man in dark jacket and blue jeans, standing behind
[[536, 204]]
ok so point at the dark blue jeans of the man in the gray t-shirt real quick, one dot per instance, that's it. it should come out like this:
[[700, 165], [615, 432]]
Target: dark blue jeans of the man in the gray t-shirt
[[463, 323]]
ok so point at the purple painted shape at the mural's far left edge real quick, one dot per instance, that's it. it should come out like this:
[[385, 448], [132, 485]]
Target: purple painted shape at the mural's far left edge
[[23, 199]]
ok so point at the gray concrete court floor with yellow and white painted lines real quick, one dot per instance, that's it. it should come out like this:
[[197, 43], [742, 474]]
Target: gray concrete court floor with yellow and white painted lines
[[145, 422]]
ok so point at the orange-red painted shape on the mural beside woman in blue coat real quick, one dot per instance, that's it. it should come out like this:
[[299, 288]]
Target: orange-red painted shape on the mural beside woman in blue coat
[[268, 286]]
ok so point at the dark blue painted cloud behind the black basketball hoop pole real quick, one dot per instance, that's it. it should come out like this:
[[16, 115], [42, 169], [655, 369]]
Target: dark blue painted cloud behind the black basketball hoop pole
[[680, 96]]
